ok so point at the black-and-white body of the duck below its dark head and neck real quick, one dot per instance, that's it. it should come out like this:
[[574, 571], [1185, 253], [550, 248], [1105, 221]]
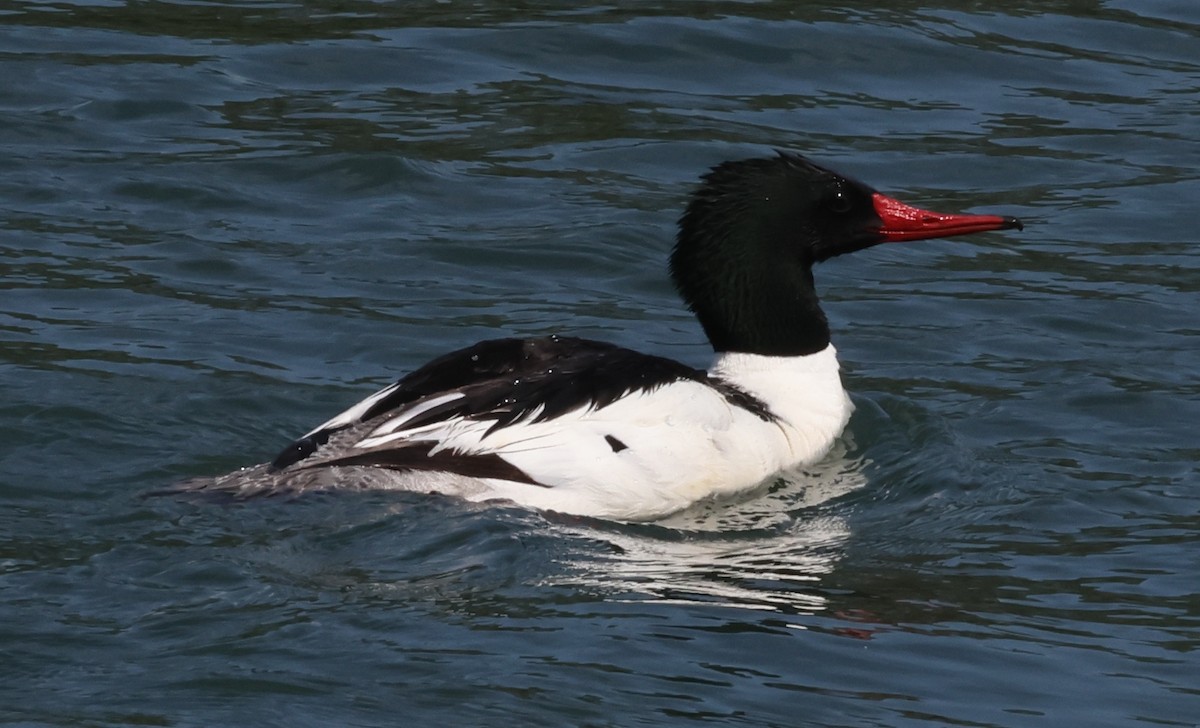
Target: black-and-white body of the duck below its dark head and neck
[[584, 428]]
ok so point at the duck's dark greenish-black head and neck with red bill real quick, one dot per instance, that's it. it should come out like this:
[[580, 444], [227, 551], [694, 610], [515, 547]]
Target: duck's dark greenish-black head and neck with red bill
[[748, 240]]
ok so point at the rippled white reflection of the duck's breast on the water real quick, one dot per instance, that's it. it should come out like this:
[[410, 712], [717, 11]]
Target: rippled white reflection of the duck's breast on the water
[[766, 552]]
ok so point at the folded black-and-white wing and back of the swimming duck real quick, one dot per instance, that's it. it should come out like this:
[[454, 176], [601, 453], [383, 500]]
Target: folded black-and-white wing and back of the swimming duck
[[483, 389]]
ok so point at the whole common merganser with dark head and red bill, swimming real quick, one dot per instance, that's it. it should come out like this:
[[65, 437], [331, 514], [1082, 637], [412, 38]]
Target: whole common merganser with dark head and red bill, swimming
[[590, 429]]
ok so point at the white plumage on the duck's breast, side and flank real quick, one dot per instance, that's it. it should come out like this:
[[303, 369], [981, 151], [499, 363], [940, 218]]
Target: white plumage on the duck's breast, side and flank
[[685, 442]]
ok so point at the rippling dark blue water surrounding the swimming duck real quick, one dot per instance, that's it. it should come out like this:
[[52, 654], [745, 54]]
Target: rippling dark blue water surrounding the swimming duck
[[225, 222]]
